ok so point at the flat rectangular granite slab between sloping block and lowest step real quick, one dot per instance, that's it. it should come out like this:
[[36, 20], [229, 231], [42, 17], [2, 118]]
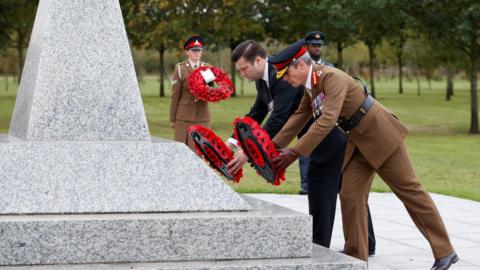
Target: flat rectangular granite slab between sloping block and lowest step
[[267, 231]]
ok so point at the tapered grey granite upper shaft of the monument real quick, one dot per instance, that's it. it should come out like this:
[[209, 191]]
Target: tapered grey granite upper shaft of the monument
[[79, 81]]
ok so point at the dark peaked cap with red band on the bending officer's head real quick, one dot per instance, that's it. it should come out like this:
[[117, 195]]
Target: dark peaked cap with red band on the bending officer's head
[[282, 60]]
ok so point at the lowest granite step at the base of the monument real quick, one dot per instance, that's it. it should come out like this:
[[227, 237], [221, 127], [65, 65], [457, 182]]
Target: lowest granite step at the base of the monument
[[321, 259]]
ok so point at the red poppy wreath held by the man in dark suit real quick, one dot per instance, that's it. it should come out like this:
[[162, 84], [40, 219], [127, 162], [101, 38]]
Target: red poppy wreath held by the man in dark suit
[[212, 155]]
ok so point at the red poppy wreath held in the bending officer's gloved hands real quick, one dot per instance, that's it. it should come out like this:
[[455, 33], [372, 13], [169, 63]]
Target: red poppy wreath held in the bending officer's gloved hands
[[255, 151]]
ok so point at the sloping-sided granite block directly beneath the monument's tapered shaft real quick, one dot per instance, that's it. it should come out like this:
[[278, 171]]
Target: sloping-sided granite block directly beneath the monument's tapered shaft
[[95, 177]]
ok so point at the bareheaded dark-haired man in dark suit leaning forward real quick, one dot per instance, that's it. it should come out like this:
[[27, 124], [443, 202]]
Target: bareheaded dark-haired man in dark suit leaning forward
[[279, 99]]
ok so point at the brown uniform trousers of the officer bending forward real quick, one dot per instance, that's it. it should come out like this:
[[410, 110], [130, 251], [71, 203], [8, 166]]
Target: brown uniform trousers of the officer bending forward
[[398, 173]]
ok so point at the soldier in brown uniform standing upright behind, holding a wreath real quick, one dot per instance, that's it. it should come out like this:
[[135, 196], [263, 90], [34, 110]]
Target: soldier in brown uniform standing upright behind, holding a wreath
[[185, 109]]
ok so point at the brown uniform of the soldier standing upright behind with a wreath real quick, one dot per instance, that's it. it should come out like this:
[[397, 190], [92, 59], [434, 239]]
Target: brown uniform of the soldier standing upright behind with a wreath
[[185, 109]]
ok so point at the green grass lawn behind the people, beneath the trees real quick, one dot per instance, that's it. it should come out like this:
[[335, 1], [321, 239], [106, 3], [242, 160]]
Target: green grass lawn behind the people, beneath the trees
[[446, 158]]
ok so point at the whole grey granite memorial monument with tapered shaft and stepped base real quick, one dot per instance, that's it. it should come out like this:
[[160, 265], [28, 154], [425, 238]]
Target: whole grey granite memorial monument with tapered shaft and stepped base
[[83, 185]]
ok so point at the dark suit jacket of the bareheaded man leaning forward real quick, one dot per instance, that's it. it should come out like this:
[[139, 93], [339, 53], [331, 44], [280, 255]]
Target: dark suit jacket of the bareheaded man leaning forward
[[286, 99]]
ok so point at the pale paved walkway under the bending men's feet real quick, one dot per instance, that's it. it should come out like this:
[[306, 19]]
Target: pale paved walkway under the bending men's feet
[[399, 244]]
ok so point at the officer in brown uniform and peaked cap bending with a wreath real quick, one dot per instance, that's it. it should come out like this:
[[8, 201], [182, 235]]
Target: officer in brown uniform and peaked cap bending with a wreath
[[375, 144]]
